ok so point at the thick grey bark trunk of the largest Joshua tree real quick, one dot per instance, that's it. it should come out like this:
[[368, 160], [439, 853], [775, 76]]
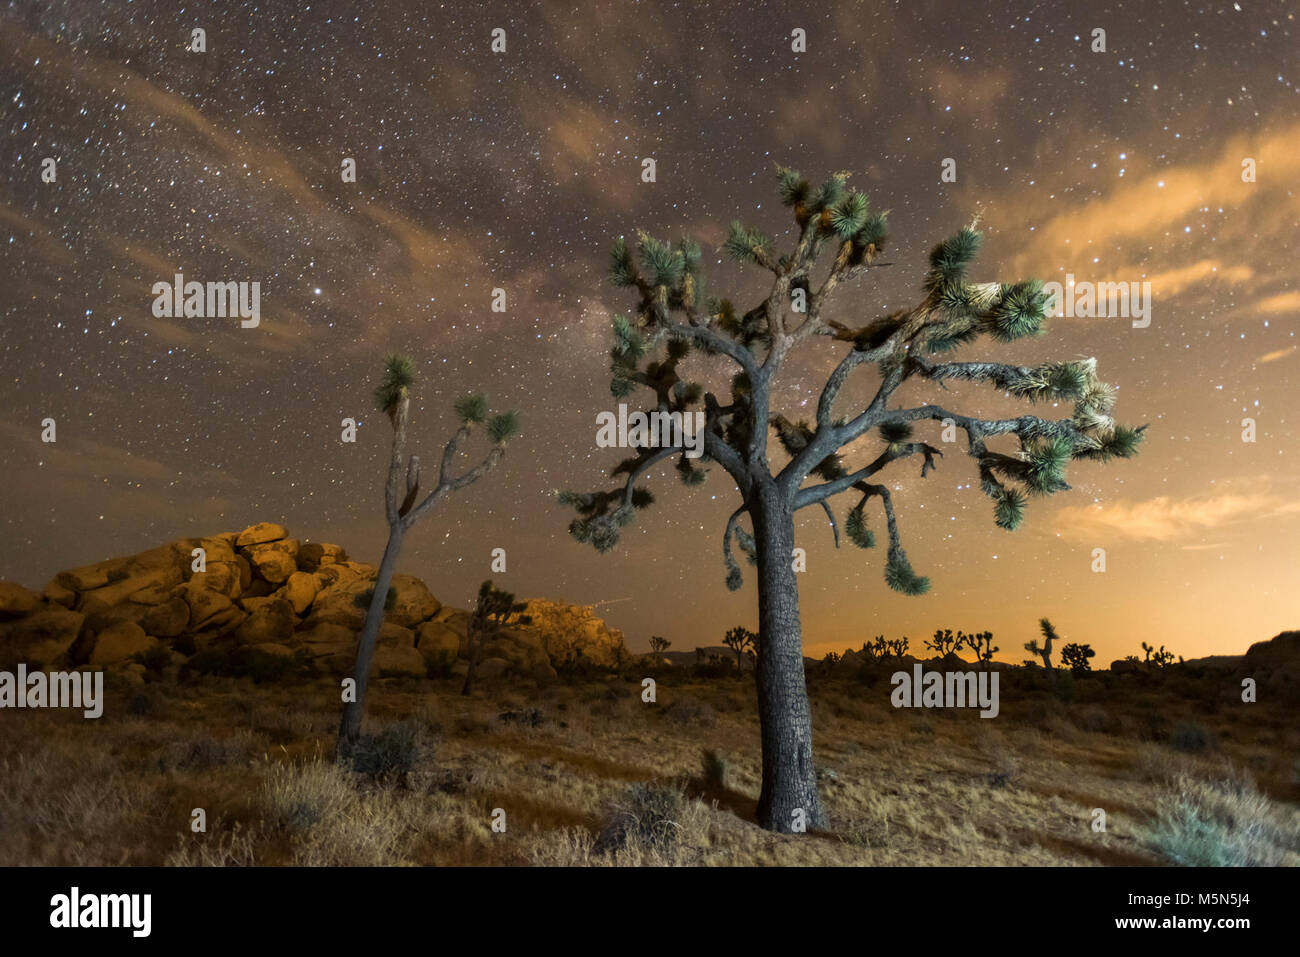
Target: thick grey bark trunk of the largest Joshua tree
[[786, 721]]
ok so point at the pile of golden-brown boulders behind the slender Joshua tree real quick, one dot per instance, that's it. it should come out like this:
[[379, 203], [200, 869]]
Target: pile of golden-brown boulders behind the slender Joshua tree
[[262, 590]]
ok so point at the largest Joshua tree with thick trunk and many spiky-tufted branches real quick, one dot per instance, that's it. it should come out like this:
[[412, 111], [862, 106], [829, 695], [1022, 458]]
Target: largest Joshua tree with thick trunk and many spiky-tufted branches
[[674, 318]]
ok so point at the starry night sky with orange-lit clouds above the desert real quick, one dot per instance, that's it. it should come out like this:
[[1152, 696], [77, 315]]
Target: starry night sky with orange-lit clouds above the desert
[[515, 171]]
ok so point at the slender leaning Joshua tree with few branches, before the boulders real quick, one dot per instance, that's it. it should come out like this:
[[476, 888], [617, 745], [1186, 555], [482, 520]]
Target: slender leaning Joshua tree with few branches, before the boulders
[[404, 508]]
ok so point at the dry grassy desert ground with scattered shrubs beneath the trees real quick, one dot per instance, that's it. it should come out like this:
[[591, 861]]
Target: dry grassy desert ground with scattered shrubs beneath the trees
[[604, 780]]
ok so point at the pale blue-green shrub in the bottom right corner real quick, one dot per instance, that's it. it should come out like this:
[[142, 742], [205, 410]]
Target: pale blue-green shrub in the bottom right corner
[[1224, 824]]
